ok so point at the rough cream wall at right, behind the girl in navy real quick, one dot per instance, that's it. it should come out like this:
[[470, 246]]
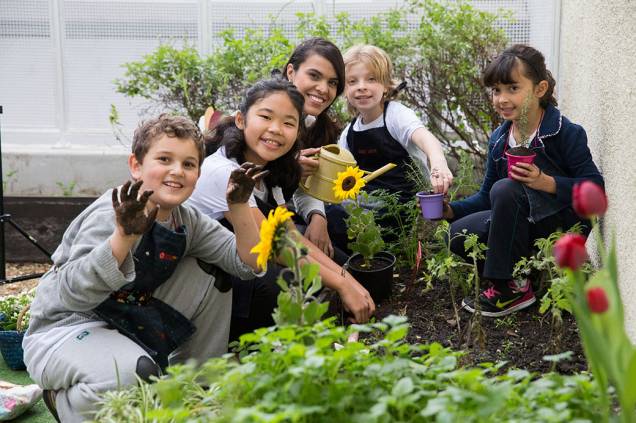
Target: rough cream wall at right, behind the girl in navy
[[597, 88]]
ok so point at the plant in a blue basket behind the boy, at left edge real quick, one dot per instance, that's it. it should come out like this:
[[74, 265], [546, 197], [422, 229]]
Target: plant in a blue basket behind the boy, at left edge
[[14, 318]]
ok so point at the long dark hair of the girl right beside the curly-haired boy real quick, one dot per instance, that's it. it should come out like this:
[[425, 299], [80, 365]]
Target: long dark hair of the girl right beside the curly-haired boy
[[284, 171]]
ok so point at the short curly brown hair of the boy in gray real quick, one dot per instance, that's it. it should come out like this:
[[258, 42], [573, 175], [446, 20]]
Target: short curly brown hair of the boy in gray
[[173, 126]]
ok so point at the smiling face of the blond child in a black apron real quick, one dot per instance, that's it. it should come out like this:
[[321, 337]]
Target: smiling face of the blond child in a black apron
[[364, 91]]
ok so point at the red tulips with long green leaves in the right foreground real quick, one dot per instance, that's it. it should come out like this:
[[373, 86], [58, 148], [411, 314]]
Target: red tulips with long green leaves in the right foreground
[[597, 306]]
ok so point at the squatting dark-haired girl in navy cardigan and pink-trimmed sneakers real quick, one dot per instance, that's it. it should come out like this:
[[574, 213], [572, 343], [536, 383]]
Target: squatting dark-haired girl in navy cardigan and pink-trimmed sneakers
[[510, 212]]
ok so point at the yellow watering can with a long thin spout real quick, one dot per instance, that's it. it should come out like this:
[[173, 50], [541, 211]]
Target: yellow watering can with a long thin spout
[[331, 160]]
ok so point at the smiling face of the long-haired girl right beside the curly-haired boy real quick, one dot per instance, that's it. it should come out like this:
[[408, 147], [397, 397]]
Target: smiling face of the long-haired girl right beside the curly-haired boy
[[270, 128]]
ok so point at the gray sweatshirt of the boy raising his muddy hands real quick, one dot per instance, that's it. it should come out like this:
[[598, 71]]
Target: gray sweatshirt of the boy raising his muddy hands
[[85, 271]]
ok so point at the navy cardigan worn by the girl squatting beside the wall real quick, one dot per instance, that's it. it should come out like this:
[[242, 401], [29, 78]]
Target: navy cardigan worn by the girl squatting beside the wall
[[562, 143]]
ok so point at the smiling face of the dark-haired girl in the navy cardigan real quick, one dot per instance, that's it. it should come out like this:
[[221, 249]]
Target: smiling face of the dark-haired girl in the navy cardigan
[[508, 99]]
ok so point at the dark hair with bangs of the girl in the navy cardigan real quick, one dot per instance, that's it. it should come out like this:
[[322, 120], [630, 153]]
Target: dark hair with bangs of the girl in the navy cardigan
[[500, 70]]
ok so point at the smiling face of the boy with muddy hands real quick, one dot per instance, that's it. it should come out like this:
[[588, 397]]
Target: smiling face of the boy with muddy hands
[[170, 168]]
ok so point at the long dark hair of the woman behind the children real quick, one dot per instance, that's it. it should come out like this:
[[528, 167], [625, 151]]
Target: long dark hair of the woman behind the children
[[324, 130]]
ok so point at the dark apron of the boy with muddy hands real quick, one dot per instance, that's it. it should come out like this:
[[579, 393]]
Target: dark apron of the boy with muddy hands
[[133, 311]]
